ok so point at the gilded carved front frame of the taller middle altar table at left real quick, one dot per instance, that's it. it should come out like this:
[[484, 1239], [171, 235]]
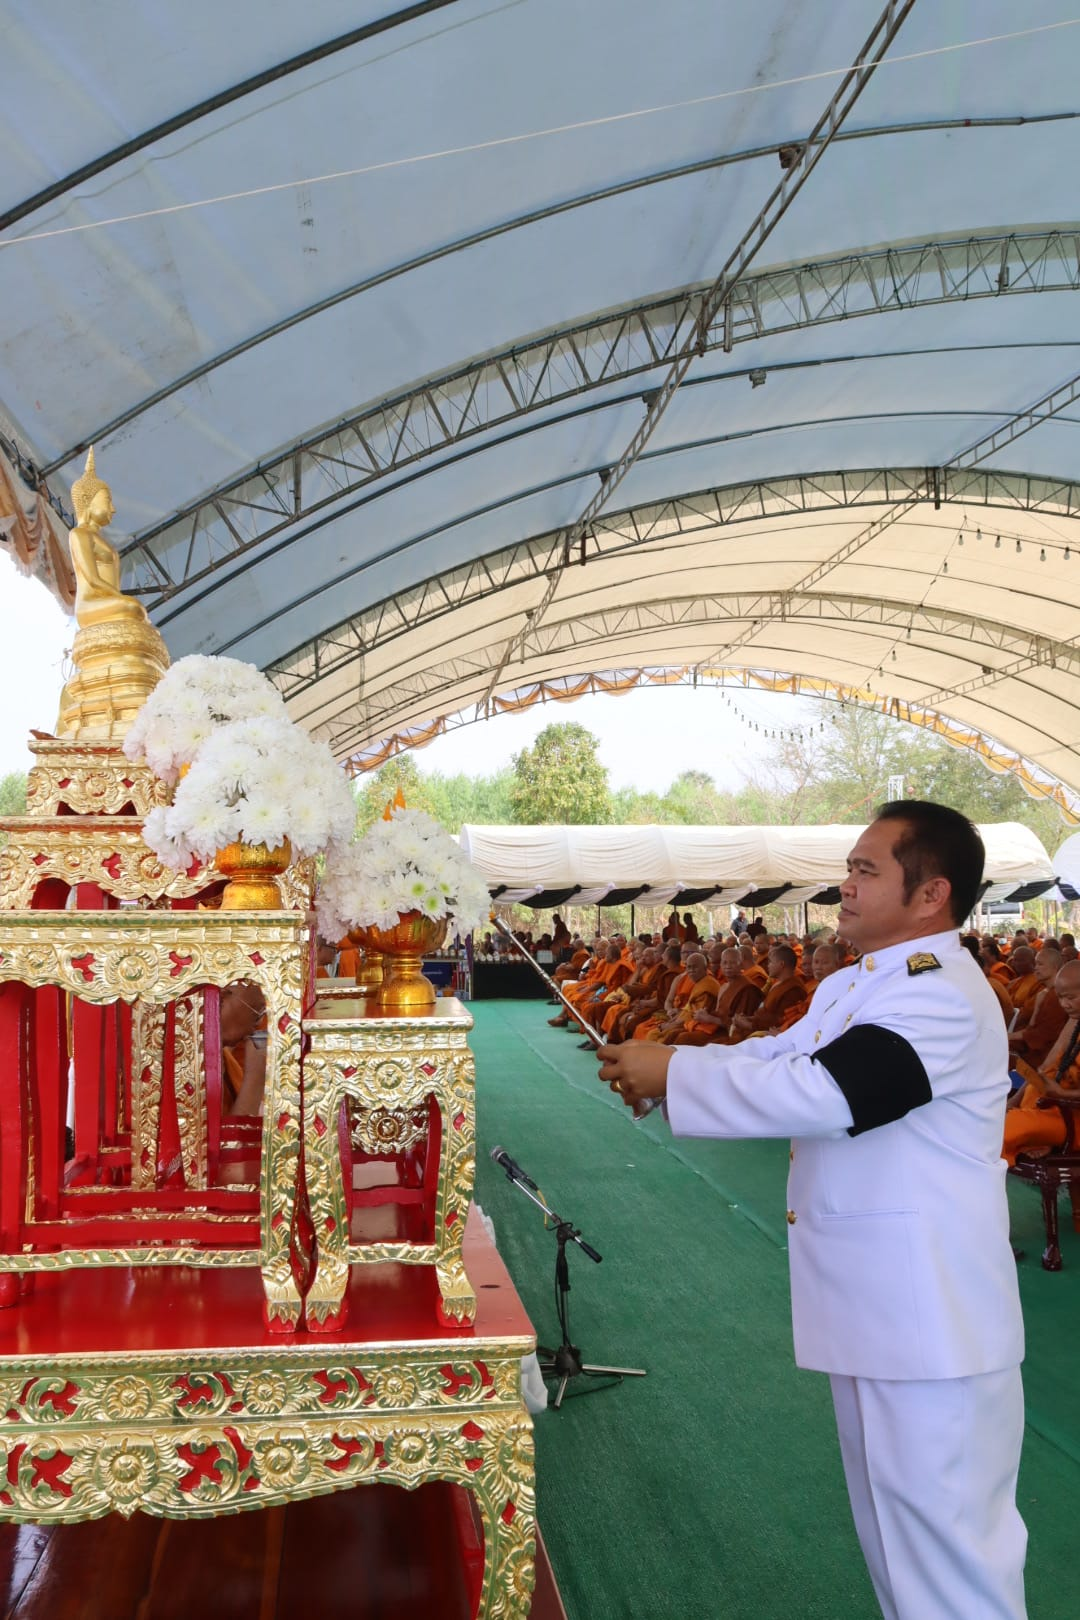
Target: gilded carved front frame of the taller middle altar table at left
[[163, 958]]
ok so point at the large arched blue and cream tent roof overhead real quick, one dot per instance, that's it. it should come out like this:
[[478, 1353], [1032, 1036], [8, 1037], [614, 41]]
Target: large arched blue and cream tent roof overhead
[[355, 344]]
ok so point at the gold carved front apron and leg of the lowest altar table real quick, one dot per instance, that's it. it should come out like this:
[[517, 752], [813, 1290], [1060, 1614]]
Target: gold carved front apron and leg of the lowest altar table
[[93, 1436]]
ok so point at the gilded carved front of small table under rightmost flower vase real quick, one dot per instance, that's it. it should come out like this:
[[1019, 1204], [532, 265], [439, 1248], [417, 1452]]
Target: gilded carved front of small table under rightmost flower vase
[[388, 1070]]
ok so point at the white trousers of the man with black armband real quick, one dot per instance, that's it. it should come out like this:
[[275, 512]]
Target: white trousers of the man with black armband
[[932, 1472]]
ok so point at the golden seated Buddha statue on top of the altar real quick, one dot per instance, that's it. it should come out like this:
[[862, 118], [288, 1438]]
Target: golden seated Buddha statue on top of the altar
[[119, 655]]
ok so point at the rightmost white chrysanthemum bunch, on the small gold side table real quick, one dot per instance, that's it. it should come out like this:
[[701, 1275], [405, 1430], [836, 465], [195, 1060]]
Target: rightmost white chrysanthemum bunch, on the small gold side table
[[407, 864]]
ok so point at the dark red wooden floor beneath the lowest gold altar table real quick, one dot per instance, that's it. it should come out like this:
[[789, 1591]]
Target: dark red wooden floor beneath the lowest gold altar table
[[368, 1554]]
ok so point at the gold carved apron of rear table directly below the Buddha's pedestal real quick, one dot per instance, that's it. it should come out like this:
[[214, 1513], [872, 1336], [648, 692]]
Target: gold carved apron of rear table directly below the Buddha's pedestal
[[109, 855]]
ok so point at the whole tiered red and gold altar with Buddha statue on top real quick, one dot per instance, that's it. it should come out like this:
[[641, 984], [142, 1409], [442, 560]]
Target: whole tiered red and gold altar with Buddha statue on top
[[210, 1313]]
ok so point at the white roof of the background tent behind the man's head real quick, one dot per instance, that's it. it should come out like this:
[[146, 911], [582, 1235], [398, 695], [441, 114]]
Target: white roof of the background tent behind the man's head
[[671, 859]]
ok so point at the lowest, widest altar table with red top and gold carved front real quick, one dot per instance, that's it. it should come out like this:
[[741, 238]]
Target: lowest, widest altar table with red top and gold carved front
[[163, 1394]]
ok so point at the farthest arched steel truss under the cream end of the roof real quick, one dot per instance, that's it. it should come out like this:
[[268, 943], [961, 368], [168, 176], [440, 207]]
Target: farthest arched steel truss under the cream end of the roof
[[406, 694]]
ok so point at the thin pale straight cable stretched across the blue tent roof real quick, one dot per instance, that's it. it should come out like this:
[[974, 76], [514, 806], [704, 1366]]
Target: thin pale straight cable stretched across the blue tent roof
[[534, 135]]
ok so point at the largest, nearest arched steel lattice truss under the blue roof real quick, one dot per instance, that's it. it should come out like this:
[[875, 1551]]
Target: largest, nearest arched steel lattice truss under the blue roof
[[457, 407]]
